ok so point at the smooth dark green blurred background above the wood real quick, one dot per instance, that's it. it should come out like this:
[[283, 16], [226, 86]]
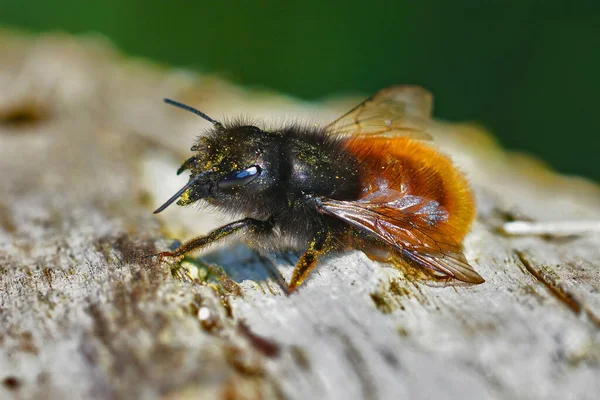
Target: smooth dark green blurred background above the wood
[[528, 70]]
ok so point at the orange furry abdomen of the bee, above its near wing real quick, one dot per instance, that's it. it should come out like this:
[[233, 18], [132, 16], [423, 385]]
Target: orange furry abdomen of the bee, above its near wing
[[414, 168]]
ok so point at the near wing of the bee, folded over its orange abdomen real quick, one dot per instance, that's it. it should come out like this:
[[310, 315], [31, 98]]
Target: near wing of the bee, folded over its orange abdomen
[[409, 224]]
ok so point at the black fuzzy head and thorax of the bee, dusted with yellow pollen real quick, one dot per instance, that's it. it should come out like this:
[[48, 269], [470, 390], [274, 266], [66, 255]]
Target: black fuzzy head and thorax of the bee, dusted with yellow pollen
[[298, 163]]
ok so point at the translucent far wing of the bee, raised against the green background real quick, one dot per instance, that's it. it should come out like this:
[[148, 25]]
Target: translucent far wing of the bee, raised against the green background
[[394, 111]]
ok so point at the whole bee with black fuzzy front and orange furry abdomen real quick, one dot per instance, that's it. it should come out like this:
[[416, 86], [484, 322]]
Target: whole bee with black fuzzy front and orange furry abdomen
[[366, 181]]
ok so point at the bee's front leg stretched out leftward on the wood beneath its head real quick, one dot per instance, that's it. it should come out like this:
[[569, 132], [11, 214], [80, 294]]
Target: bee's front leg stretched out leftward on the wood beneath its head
[[249, 224]]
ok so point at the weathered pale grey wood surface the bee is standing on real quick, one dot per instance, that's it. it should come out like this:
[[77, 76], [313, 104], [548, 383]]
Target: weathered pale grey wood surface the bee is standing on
[[87, 149]]
